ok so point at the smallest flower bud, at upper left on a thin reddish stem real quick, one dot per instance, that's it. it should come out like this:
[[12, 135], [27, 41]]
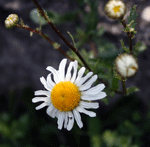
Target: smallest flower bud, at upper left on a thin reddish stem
[[11, 21]]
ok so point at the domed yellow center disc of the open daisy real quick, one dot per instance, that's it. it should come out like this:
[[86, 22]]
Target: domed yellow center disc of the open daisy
[[65, 96]]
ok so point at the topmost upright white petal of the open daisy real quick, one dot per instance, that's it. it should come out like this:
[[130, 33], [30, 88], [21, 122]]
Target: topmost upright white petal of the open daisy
[[62, 69]]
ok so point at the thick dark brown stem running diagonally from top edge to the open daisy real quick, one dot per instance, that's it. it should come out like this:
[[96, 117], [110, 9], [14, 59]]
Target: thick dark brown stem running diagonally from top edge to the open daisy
[[41, 11]]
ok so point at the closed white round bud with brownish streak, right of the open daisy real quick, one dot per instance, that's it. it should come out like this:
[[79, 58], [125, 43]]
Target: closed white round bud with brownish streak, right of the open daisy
[[126, 65]]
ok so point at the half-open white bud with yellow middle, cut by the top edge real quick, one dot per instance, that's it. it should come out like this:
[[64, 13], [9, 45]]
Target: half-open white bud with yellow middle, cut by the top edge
[[115, 9]]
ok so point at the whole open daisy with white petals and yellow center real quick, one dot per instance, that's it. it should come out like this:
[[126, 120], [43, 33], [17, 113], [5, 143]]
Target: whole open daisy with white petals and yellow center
[[69, 94]]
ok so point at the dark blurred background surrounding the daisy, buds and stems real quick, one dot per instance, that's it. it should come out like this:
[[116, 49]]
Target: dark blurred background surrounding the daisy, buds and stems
[[122, 121]]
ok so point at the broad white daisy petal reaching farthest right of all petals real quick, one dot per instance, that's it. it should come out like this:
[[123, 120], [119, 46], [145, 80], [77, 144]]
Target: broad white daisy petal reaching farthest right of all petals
[[93, 97]]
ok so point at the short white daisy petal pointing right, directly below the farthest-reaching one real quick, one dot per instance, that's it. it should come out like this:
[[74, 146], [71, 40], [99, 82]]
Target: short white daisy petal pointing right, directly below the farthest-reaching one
[[89, 105]]
